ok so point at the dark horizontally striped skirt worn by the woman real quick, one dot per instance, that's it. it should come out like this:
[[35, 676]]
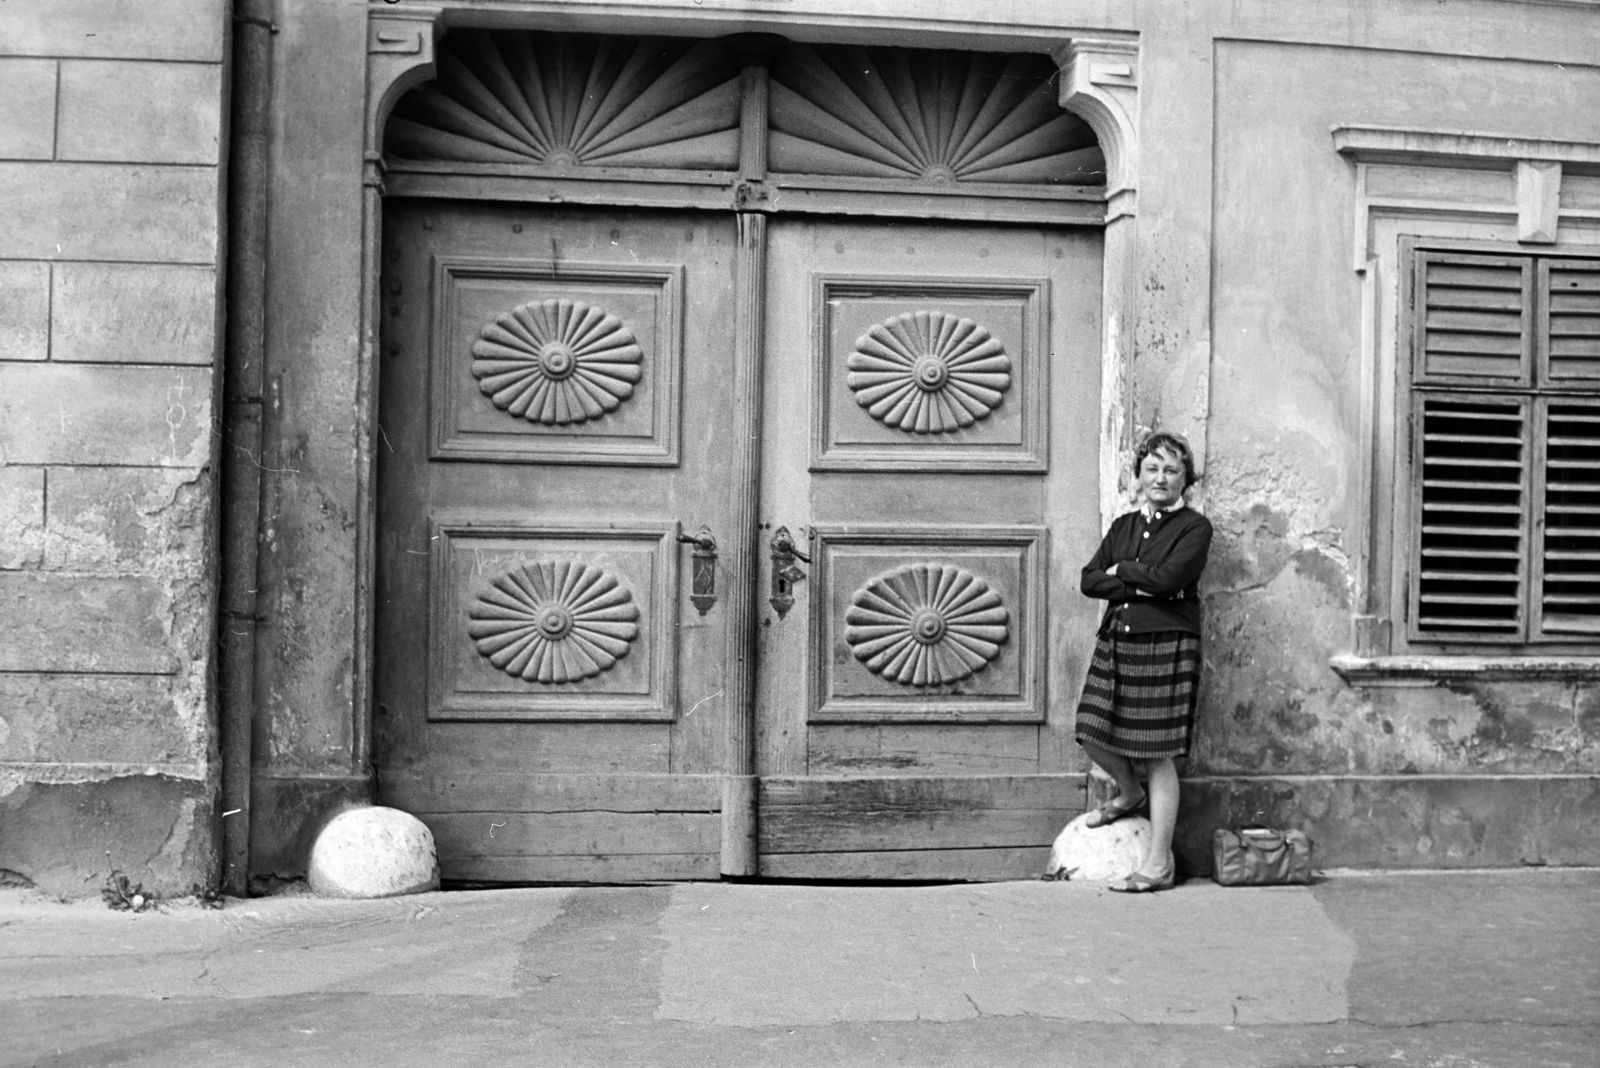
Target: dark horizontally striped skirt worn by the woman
[[1140, 696]]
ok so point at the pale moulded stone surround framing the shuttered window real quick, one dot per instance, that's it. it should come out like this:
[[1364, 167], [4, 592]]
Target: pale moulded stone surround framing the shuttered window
[[1534, 218]]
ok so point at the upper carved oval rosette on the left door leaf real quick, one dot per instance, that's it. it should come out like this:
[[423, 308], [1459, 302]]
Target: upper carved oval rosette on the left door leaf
[[558, 362]]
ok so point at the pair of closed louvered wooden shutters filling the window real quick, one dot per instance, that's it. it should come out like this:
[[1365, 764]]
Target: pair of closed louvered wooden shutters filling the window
[[1506, 461]]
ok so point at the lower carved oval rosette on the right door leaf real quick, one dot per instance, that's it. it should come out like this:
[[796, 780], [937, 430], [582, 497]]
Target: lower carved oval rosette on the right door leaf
[[927, 624]]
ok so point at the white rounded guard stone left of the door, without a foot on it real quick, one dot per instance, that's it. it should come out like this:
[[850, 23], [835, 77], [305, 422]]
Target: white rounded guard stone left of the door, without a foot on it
[[374, 853]]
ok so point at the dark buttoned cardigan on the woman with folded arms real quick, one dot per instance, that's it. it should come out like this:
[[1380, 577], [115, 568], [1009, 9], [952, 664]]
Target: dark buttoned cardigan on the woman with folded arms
[[1159, 565]]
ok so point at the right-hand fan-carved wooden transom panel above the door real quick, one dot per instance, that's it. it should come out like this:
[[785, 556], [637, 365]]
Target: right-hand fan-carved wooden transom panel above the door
[[930, 116]]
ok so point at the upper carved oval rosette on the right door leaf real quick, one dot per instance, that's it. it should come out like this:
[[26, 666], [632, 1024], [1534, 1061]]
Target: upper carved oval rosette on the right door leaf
[[929, 372]]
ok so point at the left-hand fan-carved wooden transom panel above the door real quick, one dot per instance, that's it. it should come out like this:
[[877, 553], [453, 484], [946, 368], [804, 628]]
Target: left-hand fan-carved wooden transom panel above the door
[[574, 100]]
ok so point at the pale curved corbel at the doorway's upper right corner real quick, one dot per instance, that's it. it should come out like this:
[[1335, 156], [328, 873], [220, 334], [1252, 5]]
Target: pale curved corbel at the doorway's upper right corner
[[1100, 84]]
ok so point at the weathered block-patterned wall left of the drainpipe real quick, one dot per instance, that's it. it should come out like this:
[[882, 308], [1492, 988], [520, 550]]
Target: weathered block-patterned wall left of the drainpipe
[[111, 199]]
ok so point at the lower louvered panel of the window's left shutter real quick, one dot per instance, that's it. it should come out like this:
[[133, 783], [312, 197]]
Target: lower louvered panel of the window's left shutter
[[1471, 575]]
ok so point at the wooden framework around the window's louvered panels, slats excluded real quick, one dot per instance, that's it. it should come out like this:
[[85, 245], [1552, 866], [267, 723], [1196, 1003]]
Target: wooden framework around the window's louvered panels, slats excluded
[[1534, 391]]
